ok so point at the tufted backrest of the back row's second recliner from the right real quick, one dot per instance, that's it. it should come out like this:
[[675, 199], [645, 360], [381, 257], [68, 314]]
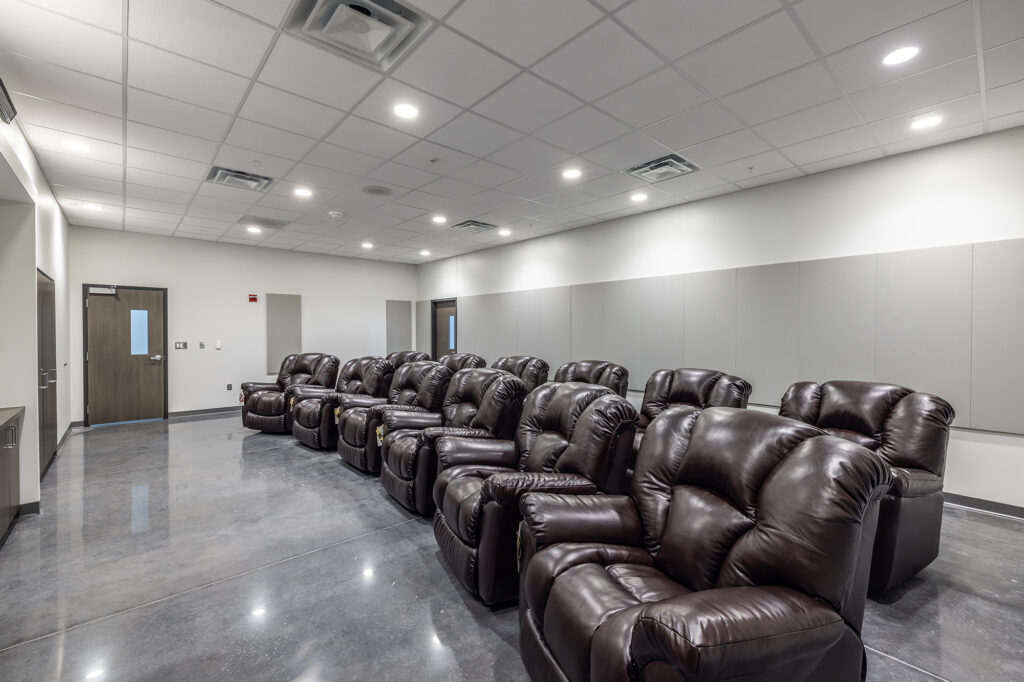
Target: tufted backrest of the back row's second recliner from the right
[[698, 389]]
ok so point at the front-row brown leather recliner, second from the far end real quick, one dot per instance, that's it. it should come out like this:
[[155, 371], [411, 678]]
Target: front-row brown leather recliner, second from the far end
[[313, 407]]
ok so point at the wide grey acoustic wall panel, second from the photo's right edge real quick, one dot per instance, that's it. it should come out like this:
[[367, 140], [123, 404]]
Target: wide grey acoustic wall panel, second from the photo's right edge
[[923, 323]]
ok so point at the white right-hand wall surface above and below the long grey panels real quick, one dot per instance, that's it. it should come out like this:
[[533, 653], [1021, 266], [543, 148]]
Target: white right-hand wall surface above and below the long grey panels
[[964, 193]]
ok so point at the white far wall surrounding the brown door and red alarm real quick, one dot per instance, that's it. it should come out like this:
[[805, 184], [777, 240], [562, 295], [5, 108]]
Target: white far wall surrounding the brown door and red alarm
[[208, 283]]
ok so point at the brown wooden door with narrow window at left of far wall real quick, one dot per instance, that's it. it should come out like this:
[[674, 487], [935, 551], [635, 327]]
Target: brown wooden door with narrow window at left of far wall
[[125, 356]]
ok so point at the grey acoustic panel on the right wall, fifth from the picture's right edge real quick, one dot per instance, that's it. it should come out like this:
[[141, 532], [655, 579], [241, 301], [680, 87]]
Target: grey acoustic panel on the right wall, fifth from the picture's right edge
[[711, 321]]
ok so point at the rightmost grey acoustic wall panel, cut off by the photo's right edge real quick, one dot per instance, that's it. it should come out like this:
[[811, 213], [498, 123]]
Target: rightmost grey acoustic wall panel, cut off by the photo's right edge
[[998, 360]]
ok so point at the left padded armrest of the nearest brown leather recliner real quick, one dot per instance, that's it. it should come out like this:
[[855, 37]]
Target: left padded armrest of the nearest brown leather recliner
[[551, 519]]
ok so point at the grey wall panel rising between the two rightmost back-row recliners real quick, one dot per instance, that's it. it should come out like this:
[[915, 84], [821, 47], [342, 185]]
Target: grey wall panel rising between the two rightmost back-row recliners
[[767, 329]]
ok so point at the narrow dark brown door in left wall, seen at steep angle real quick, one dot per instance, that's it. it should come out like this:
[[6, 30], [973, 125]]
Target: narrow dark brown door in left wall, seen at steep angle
[[47, 355]]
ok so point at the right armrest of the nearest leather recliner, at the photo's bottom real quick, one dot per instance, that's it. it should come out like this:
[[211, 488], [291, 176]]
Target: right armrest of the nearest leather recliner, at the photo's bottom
[[730, 632]]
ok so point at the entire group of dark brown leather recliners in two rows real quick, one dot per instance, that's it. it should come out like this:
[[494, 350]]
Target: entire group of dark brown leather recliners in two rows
[[693, 540]]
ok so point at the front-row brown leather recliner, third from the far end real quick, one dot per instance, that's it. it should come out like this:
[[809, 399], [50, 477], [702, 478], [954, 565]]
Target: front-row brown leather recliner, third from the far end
[[416, 388]]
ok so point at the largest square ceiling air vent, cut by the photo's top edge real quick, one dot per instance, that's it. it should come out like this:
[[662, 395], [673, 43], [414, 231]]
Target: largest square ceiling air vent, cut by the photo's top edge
[[374, 32]]
